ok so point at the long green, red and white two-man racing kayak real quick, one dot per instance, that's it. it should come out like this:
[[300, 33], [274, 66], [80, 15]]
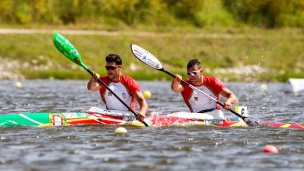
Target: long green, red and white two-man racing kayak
[[112, 117]]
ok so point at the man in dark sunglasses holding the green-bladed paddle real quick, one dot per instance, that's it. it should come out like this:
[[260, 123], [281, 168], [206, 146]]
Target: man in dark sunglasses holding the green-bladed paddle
[[122, 85]]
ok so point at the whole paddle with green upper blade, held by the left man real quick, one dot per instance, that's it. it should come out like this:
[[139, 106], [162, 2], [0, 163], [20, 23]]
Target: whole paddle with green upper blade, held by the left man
[[68, 50]]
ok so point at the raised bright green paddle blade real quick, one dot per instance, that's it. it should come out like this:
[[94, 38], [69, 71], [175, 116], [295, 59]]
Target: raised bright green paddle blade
[[67, 49]]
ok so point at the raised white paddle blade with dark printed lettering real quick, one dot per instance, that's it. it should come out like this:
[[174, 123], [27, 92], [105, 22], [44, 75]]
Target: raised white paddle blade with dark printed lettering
[[145, 57]]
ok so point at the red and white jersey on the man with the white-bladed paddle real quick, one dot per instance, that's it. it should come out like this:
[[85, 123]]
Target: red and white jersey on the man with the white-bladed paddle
[[197, 101]]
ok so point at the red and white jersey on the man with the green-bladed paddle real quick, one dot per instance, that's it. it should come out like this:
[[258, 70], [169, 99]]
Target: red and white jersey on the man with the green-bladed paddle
[[124, 89]]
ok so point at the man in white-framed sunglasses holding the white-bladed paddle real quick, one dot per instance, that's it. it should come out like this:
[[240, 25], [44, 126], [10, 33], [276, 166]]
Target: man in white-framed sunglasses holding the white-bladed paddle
[[198, 102]]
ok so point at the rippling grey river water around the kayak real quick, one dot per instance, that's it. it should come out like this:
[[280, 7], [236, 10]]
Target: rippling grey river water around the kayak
[[166, 148]]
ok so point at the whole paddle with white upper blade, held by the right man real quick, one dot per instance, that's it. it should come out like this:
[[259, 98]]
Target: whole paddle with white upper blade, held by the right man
[[147, 58]]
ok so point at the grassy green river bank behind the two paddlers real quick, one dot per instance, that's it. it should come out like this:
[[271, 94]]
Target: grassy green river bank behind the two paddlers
[[232, 54]]
